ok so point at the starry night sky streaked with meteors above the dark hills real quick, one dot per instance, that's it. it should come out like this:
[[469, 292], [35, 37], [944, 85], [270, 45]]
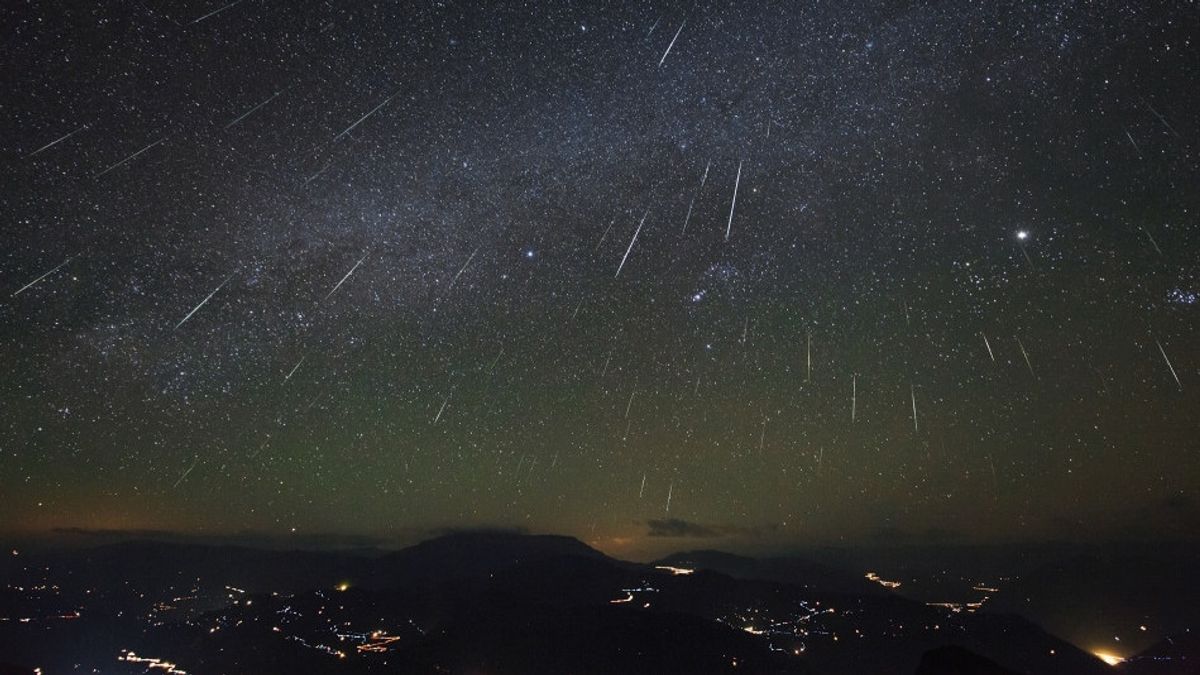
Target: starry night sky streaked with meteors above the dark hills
[[753, 274]]
